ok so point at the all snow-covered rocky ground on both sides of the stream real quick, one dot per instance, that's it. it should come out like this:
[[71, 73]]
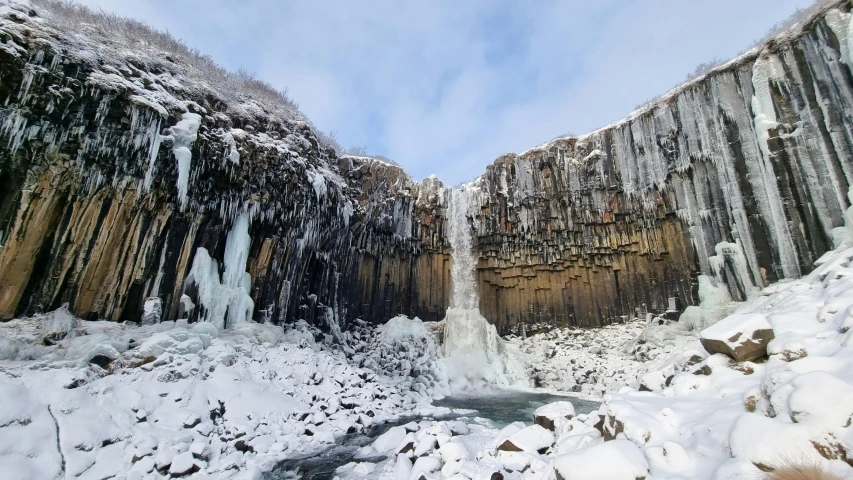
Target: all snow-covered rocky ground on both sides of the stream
[[115, 400]]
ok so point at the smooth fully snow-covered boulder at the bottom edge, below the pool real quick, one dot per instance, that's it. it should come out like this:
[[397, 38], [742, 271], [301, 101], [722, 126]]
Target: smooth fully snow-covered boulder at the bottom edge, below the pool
[[614, 460]]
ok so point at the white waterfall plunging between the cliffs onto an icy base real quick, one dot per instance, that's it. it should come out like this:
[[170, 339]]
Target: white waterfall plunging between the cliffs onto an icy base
[[475, 352]]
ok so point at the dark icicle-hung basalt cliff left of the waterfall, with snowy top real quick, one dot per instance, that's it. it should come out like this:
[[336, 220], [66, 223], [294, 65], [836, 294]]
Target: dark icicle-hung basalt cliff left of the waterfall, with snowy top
[[130, 172]]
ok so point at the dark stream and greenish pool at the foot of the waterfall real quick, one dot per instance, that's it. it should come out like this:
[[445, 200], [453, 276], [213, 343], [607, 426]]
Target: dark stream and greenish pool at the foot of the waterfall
[[501, 407]]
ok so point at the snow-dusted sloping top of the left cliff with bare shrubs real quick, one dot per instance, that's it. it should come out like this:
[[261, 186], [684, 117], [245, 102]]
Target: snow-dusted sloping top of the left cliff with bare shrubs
[[126, 55]]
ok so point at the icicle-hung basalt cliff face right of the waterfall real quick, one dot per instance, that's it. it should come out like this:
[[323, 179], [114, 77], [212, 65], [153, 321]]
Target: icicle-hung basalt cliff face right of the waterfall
[[748, 165]]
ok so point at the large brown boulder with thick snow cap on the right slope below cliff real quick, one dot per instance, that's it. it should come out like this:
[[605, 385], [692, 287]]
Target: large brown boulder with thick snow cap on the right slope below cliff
[[742, 337]]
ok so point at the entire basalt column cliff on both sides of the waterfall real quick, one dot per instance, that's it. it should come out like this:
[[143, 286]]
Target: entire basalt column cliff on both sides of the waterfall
[[128, 172]]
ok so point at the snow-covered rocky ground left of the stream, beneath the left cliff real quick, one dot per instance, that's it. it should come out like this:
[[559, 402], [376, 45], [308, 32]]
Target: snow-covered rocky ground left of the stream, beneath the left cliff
[[111, 399]]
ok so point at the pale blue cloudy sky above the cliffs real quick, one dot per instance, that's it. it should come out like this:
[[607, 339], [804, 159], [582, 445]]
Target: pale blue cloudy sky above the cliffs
[[444, 87]]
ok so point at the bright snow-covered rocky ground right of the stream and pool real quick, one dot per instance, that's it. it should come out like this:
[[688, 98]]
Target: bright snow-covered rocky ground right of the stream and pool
[[679, 412]]
